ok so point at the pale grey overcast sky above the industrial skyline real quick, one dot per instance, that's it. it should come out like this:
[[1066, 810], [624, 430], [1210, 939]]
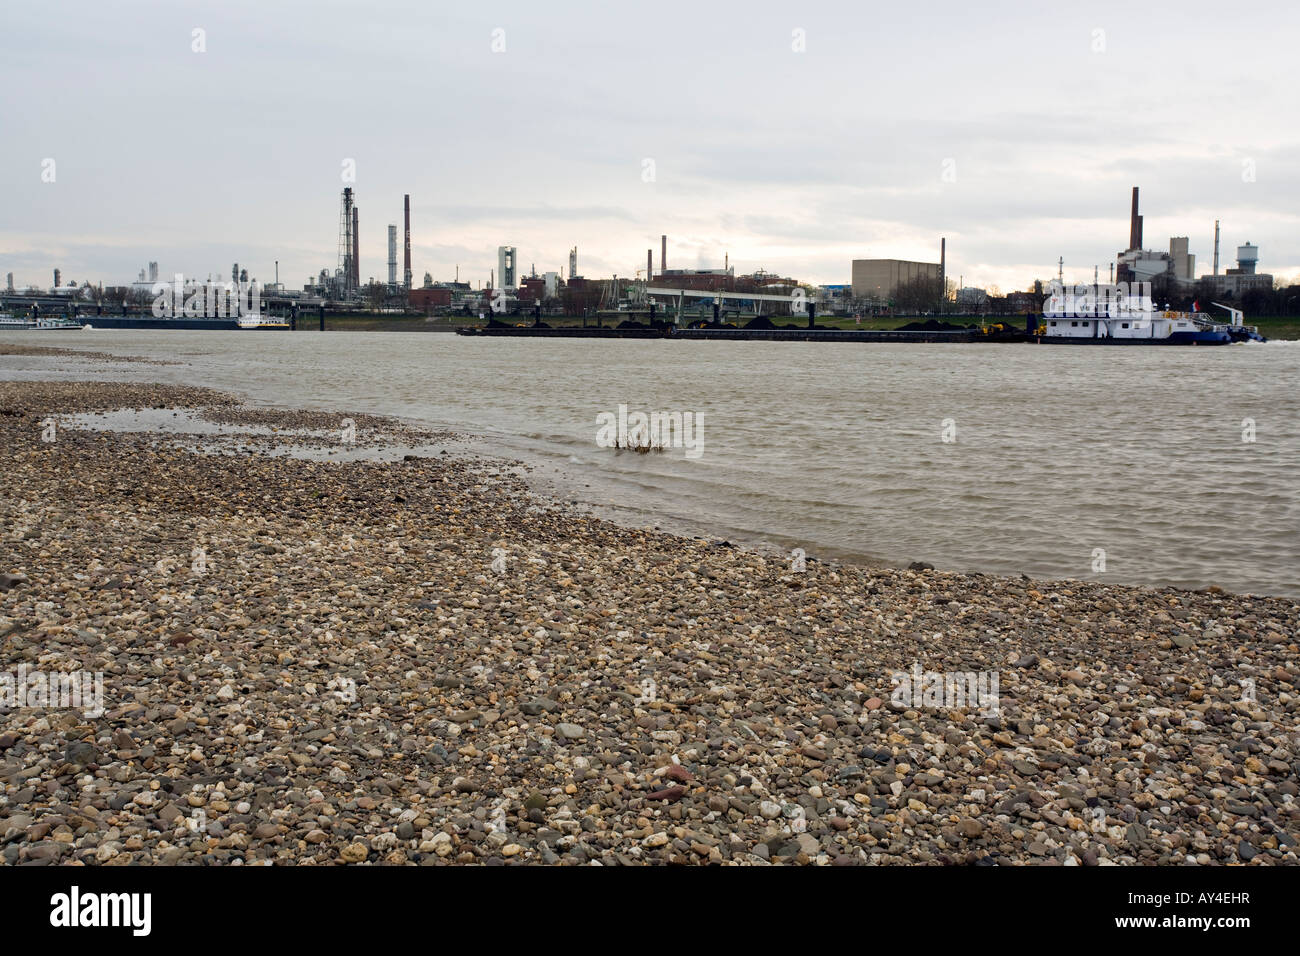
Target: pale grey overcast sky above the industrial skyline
[[1015, 129]]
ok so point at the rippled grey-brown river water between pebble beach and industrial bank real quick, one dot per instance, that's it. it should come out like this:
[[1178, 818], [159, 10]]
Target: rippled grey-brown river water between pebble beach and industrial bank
[[1056, 462]]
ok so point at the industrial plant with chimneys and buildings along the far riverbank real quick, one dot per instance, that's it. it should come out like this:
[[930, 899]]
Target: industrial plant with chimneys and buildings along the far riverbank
[[876, 287]]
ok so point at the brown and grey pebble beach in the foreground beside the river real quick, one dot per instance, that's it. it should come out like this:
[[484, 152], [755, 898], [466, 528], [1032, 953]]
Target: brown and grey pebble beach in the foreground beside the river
[[418, 661]]
